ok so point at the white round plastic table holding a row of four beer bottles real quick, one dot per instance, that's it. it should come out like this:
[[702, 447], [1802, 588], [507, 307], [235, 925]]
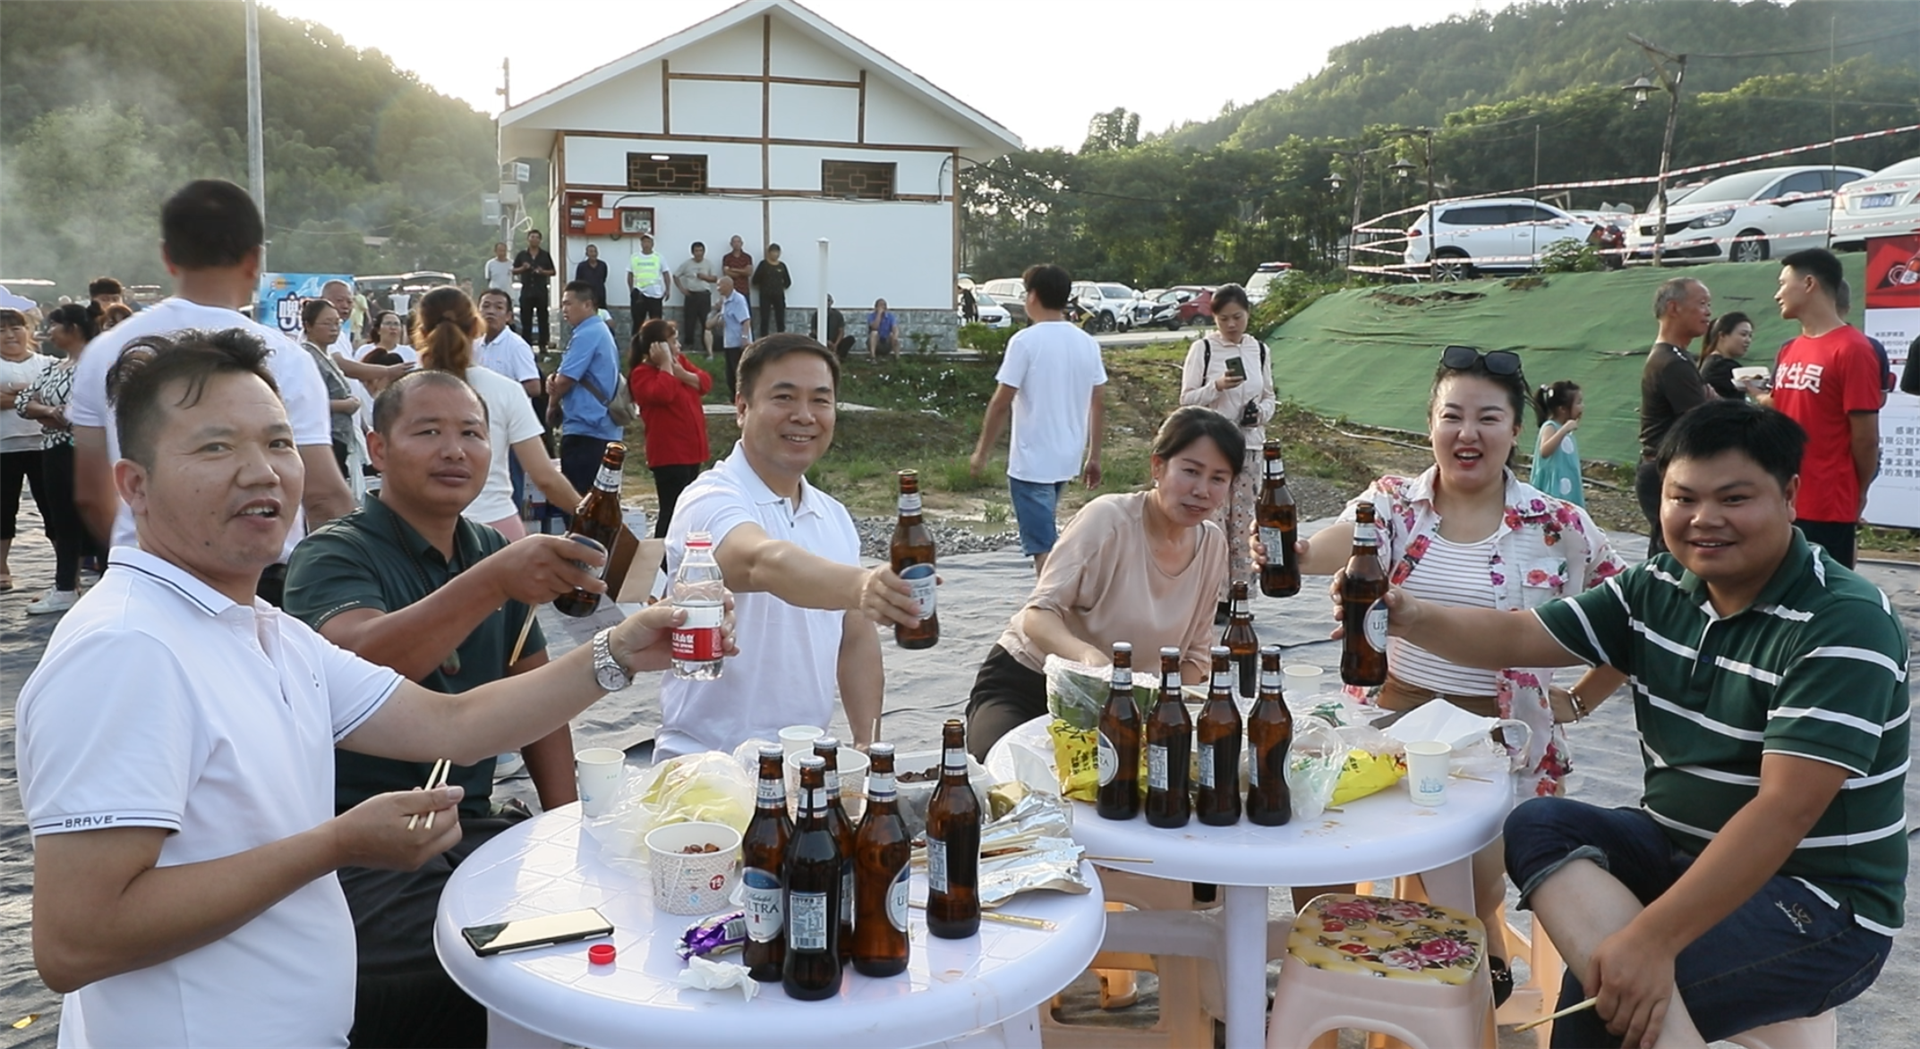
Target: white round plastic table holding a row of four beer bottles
[[1380, 837]]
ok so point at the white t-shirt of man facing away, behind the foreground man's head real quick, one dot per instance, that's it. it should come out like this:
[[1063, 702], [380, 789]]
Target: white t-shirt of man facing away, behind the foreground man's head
[[293, 370]]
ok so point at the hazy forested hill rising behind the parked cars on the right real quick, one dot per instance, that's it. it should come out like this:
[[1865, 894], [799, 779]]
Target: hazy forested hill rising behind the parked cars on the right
[[1418, 76]]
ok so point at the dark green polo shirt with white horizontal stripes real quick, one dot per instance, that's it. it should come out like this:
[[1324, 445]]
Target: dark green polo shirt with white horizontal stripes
[[1815, 668]]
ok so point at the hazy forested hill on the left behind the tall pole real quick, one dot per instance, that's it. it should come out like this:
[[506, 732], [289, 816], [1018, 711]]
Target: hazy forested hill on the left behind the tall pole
[[110, 105]]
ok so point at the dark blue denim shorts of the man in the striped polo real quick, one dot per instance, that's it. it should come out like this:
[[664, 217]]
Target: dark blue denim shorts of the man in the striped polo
[[1783, 956]]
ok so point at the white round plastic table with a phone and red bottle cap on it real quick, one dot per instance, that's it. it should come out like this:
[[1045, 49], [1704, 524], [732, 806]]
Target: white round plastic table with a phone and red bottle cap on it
[[550, 996]]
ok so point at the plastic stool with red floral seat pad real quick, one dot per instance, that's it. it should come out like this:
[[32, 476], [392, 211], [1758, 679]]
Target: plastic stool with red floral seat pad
[[1395, 967]]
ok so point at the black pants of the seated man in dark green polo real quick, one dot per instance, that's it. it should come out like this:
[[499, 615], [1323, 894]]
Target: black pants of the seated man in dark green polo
[[402, 996]]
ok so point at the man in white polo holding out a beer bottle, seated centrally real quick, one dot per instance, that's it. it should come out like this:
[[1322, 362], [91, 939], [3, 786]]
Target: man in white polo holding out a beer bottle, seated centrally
[[792, 554]]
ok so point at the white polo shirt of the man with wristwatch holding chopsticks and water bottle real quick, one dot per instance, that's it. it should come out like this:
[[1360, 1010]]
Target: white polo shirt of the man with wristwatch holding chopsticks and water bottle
[[216, 723]]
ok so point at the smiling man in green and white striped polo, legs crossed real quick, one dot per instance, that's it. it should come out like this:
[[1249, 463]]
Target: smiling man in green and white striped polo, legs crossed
[[1764, 877]]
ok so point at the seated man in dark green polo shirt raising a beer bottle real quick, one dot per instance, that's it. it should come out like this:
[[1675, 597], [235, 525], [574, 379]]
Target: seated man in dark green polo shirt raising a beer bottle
[[412, 585]]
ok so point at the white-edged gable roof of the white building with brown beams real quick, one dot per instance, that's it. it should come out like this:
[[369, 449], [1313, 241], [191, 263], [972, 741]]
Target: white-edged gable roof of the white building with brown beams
[[996, 135]]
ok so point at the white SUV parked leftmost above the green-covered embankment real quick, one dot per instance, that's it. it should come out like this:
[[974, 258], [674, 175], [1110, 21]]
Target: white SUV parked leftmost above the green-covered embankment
[[1493, 233]]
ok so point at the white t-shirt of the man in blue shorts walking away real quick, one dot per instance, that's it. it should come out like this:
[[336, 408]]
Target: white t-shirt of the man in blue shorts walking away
[[1055, 368]]
